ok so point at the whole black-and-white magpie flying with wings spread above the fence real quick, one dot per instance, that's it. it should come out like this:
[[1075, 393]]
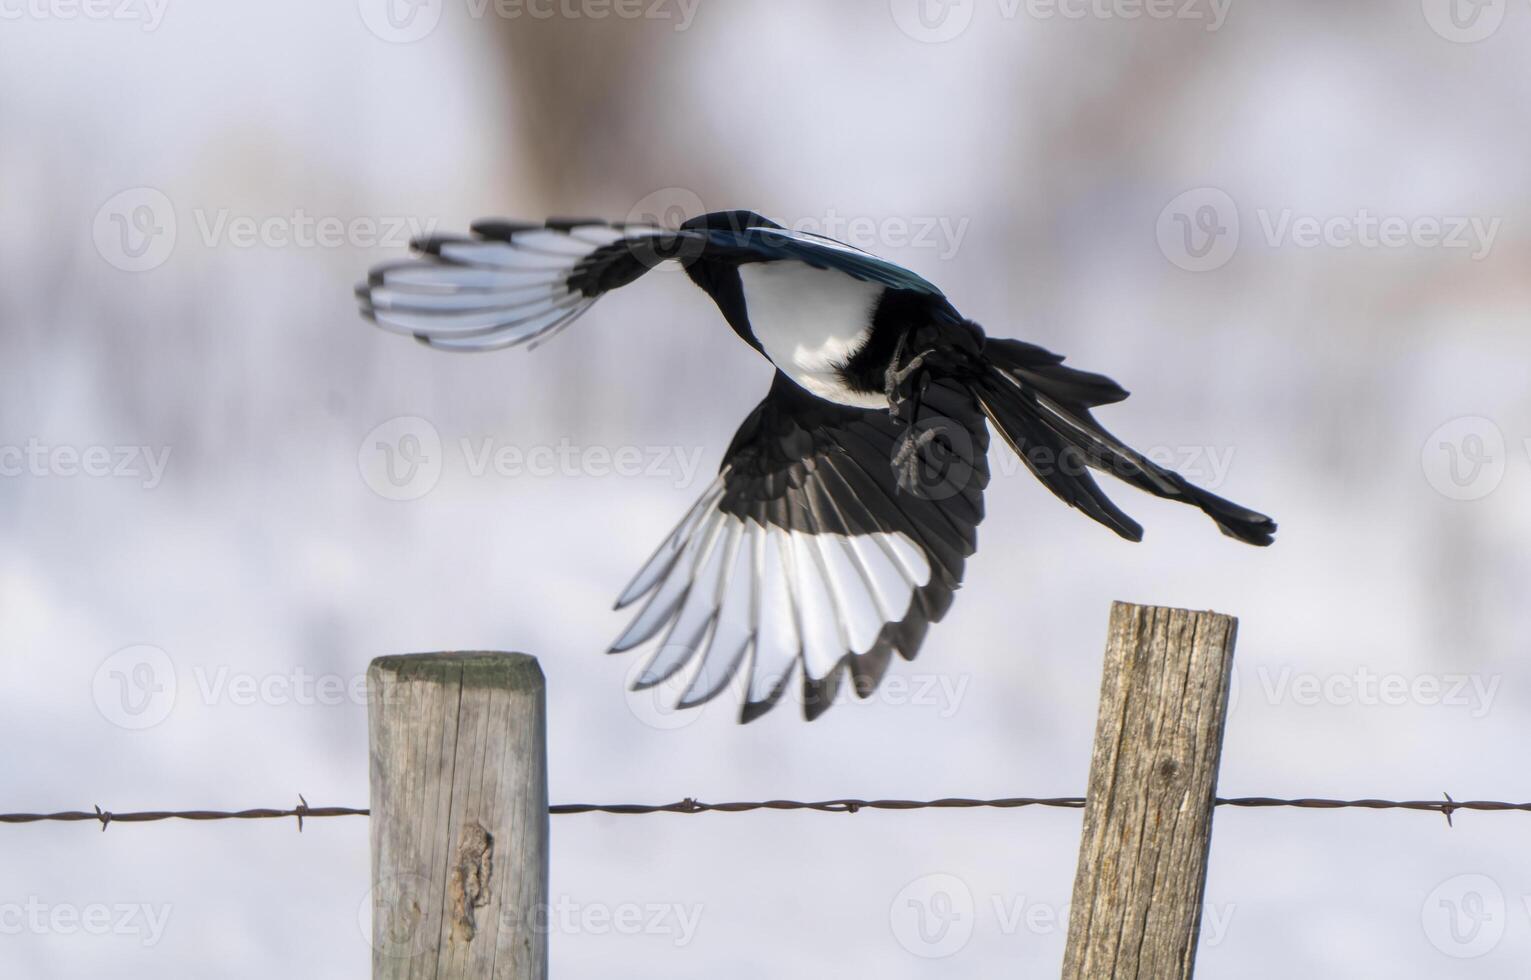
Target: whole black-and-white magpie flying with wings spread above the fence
[[840, 521]]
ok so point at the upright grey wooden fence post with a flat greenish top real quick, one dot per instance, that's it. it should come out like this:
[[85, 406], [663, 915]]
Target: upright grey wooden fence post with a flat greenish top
[[460, 817]]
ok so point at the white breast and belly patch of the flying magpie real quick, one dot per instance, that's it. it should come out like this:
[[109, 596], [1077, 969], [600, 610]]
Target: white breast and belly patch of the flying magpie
[[811, 322]]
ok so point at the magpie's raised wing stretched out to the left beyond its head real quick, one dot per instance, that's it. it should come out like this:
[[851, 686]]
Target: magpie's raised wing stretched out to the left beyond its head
[[511, 283]]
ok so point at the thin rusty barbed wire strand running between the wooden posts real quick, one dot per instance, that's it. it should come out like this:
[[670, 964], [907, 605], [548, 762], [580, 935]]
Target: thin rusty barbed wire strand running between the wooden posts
[[302, 811]]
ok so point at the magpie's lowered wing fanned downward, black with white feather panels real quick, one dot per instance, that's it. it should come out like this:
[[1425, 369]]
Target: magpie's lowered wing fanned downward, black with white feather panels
[[817, 550]]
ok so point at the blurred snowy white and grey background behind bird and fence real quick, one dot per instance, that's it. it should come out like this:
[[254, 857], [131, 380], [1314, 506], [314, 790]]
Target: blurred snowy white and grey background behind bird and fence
[[1298, 232]]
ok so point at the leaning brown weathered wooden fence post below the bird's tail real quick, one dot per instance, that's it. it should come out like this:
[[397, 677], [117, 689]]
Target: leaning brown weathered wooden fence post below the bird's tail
[[1154, 783]]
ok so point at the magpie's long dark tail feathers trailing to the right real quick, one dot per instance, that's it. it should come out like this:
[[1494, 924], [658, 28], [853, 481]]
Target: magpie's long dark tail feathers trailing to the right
[[1043, 413]]
